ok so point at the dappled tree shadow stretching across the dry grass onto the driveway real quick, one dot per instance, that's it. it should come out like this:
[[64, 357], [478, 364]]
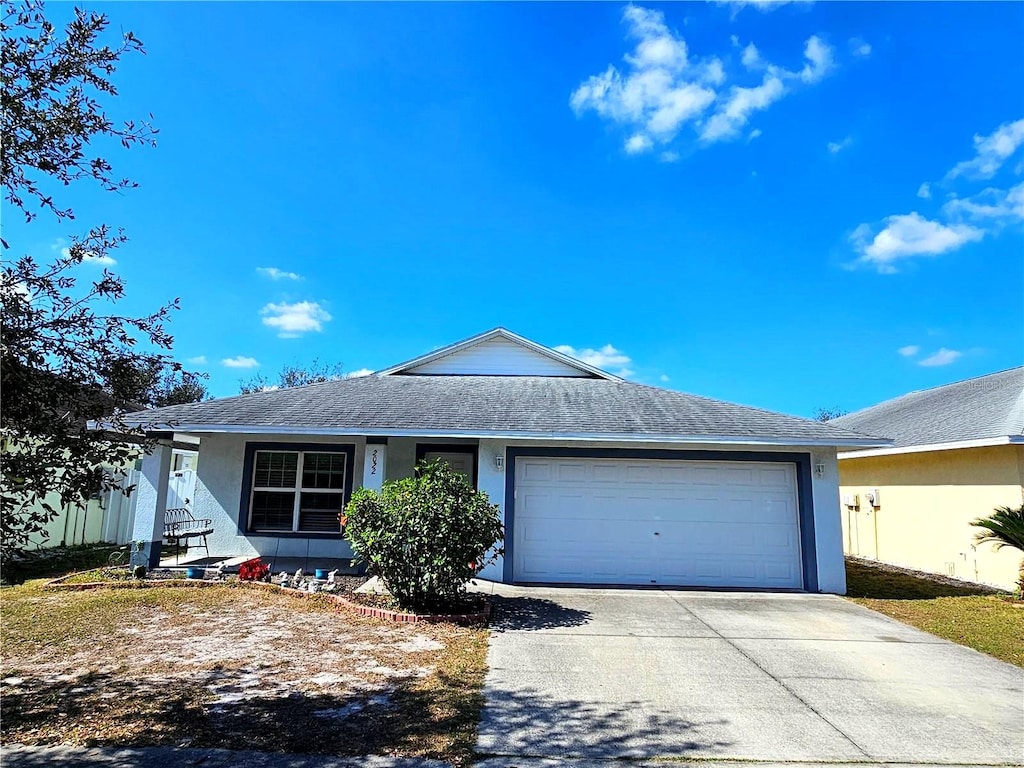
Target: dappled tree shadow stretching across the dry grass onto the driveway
[[105, 710]]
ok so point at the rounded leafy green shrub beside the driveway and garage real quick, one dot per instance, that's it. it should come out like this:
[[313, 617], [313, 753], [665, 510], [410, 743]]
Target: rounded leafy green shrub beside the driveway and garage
[[424, 537]]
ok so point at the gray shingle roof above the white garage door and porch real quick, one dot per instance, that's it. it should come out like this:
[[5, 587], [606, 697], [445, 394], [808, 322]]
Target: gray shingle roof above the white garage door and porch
[[497, 405]]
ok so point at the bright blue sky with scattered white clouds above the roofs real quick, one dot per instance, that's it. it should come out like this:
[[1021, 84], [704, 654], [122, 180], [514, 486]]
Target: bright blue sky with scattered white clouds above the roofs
[[789, 207]]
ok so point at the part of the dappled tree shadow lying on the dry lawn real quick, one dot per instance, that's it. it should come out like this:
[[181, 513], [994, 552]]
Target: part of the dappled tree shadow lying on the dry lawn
[[106, 710]]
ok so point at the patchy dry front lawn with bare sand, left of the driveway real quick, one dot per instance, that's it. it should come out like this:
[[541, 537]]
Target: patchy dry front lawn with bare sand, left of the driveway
[[237, 669]]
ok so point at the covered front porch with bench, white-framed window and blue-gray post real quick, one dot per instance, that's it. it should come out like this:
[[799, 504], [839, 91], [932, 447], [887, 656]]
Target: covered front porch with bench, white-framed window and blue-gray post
[[318, 475]]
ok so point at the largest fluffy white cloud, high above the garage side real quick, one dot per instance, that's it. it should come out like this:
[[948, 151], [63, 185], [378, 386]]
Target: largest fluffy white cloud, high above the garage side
[[662, 89]]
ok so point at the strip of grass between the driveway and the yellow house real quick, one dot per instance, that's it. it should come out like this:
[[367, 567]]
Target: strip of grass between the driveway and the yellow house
[[967, 615]]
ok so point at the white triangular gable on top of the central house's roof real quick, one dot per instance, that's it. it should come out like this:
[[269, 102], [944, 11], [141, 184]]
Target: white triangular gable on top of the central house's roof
[[497, 353]]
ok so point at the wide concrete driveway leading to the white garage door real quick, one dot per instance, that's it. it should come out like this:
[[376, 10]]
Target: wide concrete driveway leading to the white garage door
[[600, 674]]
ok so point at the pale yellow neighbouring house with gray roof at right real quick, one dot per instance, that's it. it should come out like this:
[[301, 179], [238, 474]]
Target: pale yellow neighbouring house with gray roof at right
[[958, 454]]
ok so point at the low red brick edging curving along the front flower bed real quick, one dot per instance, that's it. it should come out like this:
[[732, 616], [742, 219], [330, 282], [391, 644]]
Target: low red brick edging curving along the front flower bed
[[480, 618]]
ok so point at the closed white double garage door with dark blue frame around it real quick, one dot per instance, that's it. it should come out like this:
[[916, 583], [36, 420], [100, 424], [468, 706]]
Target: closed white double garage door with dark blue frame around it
[[666, 523]]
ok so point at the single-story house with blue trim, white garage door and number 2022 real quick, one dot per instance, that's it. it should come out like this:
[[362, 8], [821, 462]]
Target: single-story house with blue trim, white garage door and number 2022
[[600, 481]]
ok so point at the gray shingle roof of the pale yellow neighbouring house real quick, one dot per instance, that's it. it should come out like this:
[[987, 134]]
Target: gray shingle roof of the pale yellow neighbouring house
[[989, 407]]
